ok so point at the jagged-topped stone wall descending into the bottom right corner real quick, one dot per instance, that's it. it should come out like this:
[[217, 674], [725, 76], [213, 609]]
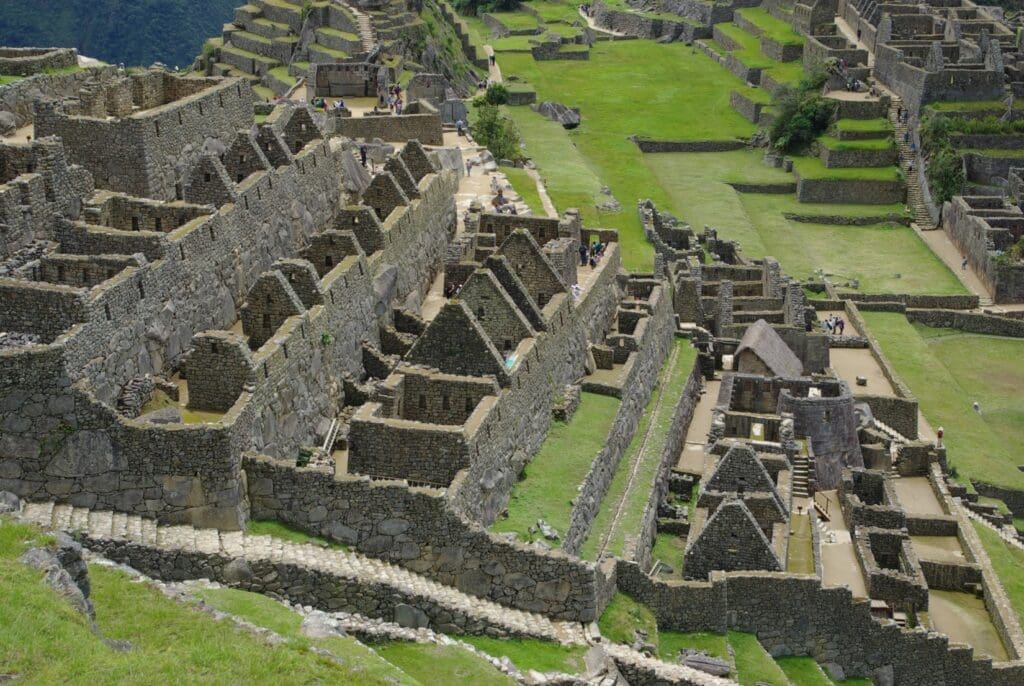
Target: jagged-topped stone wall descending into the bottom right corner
[[796, 616]]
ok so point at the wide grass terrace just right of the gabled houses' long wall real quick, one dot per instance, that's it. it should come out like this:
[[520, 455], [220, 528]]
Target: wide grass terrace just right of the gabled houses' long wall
[[549, 483]]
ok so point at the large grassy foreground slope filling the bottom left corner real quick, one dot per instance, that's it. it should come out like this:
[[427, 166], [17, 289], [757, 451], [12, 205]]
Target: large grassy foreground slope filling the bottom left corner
[[47, 642]]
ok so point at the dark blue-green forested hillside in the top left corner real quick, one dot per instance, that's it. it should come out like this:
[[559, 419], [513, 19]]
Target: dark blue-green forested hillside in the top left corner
[[133, 32]]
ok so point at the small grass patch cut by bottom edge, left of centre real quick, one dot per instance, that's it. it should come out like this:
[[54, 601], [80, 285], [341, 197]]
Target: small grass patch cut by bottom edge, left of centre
[[443, 665]]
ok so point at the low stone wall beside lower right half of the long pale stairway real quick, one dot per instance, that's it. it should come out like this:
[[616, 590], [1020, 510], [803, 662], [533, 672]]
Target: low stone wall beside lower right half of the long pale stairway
[[414, 528]]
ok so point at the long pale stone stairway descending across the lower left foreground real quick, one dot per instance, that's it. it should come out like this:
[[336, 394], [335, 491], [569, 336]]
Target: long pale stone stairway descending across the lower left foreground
[[140, 534]]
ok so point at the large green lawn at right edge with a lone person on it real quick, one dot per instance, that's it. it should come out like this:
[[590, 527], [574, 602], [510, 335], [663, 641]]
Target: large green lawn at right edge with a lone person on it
[[949, 371]]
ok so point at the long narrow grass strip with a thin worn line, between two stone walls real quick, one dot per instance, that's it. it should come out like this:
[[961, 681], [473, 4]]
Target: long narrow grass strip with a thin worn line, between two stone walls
[[630, 490]]
